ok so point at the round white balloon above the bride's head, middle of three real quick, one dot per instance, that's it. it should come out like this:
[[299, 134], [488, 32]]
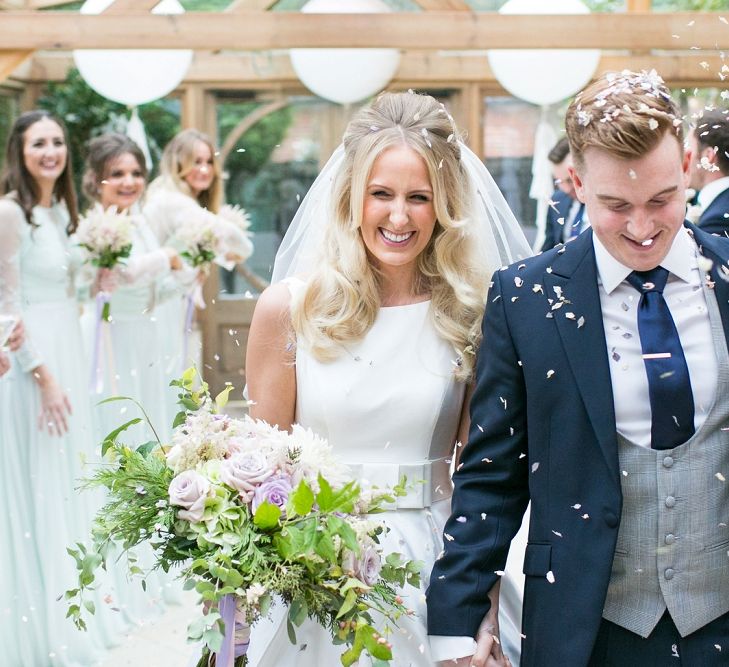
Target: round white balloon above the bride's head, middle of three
[[345, 75]]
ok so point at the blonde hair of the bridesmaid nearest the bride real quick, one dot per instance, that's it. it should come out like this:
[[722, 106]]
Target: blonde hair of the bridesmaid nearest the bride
[[178, 159]]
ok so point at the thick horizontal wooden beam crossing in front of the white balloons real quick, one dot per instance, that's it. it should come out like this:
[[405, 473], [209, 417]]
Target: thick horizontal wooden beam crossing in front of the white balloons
[[423, 30]]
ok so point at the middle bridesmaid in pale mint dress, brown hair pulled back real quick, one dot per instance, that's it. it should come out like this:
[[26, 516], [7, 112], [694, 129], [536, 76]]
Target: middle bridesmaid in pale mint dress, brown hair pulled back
[[132, 345]]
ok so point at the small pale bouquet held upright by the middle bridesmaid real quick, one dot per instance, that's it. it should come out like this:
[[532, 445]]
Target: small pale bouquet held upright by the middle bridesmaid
[[106, 235]]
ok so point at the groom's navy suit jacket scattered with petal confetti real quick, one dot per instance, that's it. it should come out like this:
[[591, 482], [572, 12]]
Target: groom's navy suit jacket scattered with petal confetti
[[542, 428]]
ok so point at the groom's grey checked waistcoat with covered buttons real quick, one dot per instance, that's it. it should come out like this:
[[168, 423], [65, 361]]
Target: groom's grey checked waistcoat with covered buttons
[[673, 542]]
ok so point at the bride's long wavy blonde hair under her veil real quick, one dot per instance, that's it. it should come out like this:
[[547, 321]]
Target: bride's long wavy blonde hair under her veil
[[342, 298]]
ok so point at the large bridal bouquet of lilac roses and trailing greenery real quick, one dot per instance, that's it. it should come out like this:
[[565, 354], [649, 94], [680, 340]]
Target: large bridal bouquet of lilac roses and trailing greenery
[[250, 513]]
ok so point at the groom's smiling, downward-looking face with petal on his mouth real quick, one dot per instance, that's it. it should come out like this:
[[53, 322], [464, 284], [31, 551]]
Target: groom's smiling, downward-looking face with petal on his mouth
[[635, 206]]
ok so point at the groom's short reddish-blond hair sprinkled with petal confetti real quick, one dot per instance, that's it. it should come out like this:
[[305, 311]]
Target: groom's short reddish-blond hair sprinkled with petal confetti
[[625, 114]]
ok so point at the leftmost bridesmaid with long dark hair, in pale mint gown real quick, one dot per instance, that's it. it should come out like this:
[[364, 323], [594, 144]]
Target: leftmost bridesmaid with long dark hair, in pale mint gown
[[45, 421]]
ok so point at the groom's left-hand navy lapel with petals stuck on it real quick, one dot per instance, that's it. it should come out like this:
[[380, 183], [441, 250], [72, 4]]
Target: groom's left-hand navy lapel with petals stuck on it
[[574, 276]]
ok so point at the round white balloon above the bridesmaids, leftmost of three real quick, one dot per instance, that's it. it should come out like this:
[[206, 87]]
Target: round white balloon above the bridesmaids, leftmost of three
[[133, 76]]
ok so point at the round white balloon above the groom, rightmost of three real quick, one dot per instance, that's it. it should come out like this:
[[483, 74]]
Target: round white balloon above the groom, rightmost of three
[[544, 76]]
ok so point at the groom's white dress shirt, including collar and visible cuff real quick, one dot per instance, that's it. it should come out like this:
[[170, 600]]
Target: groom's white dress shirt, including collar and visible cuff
[[619, 303]]
